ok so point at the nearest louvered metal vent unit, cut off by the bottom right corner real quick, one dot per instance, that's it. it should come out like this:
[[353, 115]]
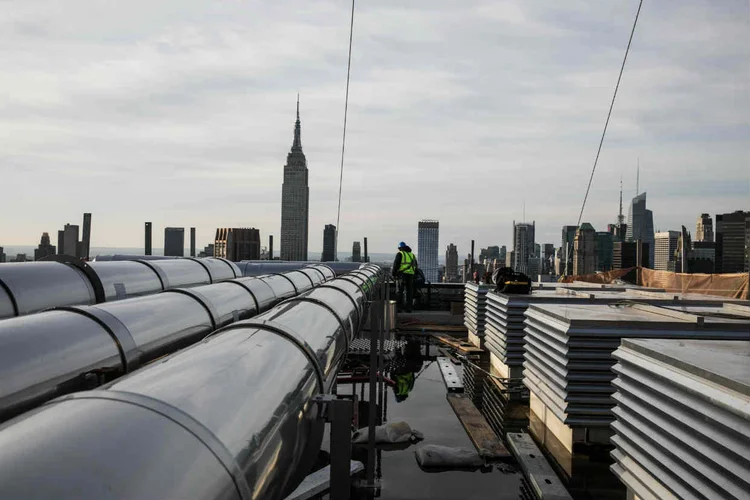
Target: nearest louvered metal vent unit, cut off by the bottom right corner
[[683, 418]]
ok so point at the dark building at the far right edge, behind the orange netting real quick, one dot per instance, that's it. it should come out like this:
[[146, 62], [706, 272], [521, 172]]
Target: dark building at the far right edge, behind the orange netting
[[732, 241]]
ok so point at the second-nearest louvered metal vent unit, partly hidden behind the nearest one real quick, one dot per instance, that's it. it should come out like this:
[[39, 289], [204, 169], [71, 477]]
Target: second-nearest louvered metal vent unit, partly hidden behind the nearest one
[[568, 358]]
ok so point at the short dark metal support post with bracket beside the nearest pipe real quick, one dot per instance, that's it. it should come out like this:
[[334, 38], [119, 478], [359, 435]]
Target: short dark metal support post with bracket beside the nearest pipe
[[338, 412]]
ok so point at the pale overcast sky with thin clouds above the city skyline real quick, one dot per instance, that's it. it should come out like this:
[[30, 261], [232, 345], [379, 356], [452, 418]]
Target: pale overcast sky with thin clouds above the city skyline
[[181, 112]]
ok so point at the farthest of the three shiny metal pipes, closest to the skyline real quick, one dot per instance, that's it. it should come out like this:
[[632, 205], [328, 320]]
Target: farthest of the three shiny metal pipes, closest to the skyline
[[31, 287]]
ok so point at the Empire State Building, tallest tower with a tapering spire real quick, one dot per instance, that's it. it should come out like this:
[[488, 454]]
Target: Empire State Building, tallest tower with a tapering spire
[[295, 200]]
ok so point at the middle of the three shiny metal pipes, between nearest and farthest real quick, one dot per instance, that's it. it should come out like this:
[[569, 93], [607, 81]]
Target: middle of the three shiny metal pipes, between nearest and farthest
[[74, 348]]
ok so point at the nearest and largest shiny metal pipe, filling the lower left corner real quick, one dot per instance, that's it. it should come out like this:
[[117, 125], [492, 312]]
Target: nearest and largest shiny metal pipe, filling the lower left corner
[[225, 419]]
